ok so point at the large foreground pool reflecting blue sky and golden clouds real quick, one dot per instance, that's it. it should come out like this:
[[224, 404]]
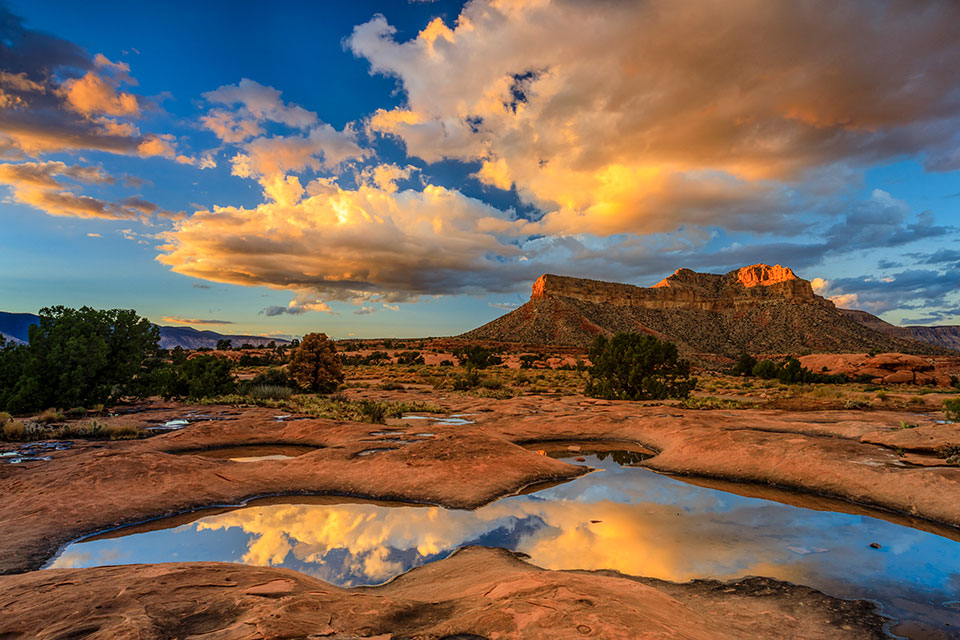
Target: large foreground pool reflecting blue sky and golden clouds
[[622, 518]]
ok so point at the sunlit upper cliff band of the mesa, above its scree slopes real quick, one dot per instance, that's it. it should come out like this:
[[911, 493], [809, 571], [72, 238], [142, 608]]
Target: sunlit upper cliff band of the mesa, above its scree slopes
[[688, 289]]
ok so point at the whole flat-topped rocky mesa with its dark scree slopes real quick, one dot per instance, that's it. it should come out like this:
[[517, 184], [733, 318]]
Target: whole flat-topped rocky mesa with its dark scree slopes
[[758, 309]]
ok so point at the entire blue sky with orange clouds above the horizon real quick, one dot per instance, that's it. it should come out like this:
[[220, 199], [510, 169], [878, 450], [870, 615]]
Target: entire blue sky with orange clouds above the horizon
[[395, 168]]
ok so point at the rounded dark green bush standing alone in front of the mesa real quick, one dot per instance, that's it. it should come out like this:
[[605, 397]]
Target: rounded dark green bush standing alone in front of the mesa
[[632, 366]]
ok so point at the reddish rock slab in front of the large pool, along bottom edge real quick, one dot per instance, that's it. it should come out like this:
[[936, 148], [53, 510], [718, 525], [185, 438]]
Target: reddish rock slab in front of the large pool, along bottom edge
[[475, 593]]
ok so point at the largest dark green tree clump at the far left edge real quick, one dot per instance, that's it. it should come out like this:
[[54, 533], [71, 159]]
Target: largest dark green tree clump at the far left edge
[[76, 357]]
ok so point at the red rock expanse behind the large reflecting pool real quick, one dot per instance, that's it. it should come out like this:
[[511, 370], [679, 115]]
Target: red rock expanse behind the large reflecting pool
[[95, 486]]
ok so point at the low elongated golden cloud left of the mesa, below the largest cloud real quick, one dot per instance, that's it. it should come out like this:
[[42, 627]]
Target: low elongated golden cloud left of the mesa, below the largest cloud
[[353, 245]]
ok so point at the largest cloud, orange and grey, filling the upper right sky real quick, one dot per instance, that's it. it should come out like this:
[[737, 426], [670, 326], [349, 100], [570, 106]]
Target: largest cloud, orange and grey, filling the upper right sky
[[667, 113]]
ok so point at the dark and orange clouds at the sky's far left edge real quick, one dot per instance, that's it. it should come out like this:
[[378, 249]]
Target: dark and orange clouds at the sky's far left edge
[[55, 97]]
